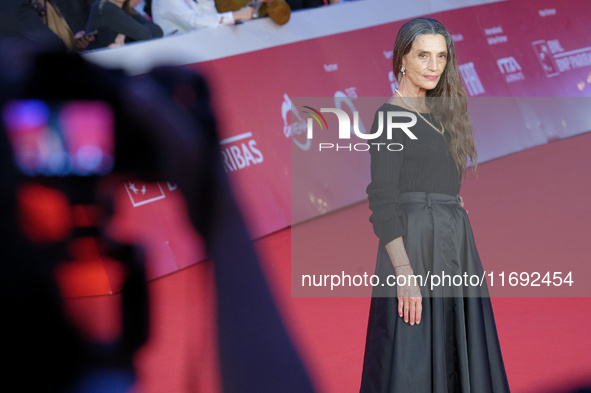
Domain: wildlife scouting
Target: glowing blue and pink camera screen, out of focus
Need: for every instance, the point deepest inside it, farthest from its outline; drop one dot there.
(71, 138)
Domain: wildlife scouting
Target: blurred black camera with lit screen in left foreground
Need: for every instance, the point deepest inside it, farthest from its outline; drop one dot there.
(66, 127)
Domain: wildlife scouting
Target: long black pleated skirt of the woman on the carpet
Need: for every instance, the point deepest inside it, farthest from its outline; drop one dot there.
(455, 348)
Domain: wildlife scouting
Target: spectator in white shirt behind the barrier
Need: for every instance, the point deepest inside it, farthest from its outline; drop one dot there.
(186, 15)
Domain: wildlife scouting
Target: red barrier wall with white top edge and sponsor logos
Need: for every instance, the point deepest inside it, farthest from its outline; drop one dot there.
(515, 49)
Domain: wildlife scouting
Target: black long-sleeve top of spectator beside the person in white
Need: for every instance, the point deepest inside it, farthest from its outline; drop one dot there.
(111, 20)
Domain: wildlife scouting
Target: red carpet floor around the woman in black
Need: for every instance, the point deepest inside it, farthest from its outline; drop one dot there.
(529, 211)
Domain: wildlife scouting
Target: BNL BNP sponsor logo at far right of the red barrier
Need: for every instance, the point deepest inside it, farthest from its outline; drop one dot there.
(554, 59)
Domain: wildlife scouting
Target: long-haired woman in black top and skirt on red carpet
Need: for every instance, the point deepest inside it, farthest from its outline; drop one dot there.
(420, 338)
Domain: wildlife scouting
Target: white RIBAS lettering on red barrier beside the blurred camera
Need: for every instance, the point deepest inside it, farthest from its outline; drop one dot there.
(240, 152)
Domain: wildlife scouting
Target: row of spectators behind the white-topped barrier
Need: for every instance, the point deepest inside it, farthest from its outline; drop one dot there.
(80, 25)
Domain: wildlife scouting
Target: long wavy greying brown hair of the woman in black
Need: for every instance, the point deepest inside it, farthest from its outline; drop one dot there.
(452, 108)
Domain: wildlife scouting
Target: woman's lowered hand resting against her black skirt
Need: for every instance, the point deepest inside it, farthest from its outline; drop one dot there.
(410, 301)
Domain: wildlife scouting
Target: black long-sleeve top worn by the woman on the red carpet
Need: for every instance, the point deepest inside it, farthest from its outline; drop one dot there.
(424, 164)
